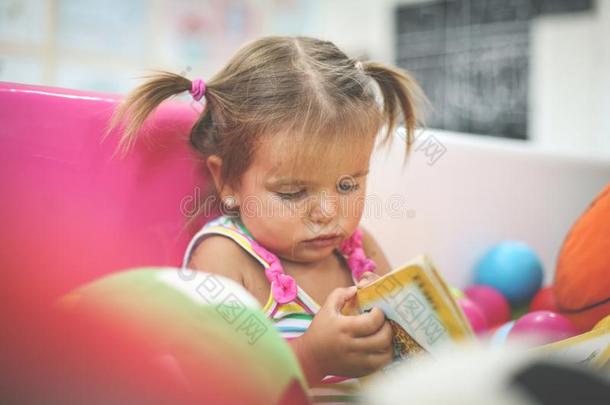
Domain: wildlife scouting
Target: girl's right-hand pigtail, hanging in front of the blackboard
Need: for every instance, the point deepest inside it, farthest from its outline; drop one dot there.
(401, 95)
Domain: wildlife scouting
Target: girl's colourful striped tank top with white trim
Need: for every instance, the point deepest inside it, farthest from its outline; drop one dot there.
(291, 319)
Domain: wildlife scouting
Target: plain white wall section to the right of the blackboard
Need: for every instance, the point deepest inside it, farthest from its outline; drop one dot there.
(570, 82)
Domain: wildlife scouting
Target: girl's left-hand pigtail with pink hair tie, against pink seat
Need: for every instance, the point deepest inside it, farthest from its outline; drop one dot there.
(141, 102)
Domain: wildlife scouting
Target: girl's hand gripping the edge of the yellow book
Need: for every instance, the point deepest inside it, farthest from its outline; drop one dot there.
(345, 345)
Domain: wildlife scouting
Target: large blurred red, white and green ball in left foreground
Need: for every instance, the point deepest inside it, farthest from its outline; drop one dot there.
(152, 336)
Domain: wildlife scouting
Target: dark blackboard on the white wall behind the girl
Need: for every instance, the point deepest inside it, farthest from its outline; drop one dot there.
(472, 59)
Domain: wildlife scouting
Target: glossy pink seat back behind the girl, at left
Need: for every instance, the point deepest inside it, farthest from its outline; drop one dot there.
(70, 212)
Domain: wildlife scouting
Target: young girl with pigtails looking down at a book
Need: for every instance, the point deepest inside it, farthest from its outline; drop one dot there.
(287, 132)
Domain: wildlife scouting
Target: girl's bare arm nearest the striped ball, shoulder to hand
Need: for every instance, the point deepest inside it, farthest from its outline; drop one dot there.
(351, 346)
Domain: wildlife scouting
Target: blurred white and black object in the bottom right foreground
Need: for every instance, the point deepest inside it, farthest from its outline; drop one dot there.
(482, 376)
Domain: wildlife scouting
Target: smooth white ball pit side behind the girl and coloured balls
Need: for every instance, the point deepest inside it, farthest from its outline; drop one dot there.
(461, 194)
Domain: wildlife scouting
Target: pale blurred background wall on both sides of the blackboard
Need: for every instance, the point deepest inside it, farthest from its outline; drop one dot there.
(109, 46)
